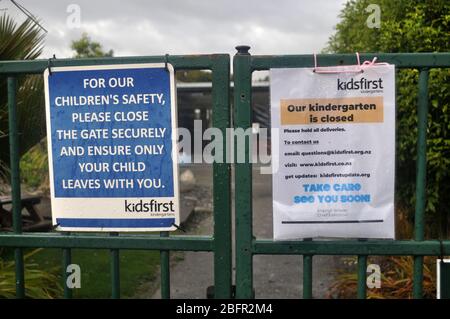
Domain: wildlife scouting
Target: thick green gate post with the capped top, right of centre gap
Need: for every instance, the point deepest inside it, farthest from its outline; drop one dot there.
(243, 174)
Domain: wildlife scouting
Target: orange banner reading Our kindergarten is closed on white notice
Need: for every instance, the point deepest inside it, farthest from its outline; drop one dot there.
(336, 110)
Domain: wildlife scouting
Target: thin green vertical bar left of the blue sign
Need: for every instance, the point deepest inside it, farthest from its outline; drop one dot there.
(15, 182)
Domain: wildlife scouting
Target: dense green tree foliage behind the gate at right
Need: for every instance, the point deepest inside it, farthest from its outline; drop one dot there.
(410, 26)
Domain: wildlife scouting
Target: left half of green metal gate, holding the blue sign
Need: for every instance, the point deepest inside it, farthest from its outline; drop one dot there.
(219, 243)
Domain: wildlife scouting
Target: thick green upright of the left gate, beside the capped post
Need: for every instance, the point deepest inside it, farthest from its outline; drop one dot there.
(222, 181)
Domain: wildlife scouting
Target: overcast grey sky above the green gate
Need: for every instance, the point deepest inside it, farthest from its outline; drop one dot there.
(157, 27)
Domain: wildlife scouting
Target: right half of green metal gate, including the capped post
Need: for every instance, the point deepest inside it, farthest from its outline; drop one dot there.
(247, 246)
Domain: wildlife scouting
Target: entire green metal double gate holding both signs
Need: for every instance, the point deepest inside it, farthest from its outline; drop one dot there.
(220, 243)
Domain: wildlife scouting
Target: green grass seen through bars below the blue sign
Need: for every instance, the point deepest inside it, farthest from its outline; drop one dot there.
(136, 267)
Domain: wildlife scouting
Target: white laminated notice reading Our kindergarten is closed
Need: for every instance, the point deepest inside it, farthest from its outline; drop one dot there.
(336, 142)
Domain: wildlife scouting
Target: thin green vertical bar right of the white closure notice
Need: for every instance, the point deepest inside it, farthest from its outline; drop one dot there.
(421, 175)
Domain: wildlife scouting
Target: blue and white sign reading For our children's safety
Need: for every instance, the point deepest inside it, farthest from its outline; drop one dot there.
(111, 133)
